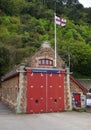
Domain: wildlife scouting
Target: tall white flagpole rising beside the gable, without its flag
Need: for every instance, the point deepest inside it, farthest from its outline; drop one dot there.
(55, 40)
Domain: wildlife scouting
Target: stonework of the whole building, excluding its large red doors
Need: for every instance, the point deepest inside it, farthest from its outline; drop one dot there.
(14, 83)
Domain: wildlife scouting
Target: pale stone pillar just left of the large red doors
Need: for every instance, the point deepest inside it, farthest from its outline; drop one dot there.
(21, 96)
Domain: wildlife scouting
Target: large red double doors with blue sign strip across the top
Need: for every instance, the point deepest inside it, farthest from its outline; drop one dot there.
(45, 91)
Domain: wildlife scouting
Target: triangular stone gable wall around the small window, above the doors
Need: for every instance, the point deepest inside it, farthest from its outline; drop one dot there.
(45, 52)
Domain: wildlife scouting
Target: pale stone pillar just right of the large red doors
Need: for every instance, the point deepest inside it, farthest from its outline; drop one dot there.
(68, 88)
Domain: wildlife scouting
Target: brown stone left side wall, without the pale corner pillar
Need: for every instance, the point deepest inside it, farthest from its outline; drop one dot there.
(10, 91)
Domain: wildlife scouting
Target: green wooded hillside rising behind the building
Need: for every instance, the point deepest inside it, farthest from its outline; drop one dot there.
(25, 24)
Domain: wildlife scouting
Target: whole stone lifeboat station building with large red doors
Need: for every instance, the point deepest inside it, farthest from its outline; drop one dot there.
(37, 86)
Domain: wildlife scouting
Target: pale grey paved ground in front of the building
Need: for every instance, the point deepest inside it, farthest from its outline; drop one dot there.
(47, 121)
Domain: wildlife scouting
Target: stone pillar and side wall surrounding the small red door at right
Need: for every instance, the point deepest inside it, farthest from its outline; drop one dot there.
(68, 94)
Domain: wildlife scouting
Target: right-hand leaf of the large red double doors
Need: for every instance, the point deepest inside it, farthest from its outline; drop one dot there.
(55, 92)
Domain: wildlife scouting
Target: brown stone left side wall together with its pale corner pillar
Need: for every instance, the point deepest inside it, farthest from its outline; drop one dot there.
(14, 92)
